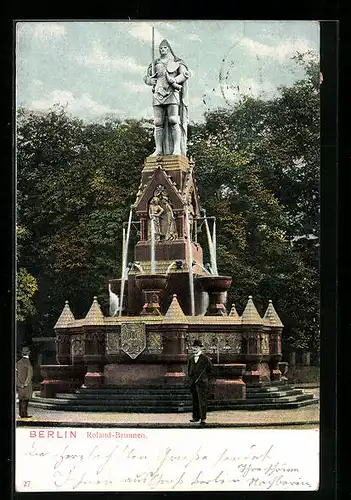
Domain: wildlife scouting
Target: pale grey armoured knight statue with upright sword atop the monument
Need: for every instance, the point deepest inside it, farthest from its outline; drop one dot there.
(168, 77)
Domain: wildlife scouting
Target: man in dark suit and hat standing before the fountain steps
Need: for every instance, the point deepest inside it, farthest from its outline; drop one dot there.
(199, 368)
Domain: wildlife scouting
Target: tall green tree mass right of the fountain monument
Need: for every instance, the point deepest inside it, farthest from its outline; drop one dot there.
(262, 159)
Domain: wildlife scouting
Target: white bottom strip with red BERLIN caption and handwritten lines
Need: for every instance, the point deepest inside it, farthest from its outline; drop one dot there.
(166, 460)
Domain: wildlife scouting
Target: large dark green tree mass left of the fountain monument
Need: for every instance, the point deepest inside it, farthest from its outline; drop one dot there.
(76, 182)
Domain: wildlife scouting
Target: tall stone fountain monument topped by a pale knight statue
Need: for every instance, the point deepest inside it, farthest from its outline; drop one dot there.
(168, 297)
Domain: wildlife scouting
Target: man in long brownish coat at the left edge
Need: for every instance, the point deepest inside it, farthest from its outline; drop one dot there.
(24, 375)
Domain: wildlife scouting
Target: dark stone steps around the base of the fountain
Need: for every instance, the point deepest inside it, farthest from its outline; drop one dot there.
(169, 400)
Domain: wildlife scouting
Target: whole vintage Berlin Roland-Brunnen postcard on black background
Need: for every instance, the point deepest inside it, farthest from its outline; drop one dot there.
(168, 332)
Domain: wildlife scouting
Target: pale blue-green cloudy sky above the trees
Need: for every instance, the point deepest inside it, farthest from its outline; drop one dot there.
(97, 68)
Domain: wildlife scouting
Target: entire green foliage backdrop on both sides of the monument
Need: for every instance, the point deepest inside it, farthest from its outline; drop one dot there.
(257, 171)
